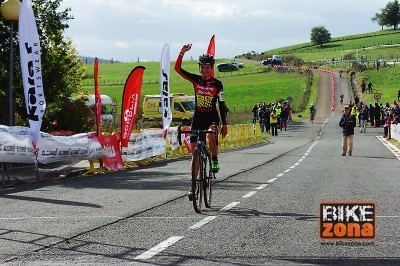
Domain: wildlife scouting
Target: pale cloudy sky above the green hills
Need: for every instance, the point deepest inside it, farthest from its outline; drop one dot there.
(128, 30)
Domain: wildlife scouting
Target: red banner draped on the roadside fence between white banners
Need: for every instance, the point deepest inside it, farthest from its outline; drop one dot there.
(113, 159)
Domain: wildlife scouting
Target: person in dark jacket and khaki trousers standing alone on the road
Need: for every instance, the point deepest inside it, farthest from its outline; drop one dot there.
(347, 123)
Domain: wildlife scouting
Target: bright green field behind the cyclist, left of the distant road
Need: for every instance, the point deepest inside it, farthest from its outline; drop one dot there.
(243, 89)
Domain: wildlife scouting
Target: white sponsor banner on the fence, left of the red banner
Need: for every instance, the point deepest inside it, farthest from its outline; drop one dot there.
(16, 146)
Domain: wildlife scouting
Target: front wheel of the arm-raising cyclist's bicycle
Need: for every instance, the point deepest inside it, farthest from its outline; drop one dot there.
(197, 180)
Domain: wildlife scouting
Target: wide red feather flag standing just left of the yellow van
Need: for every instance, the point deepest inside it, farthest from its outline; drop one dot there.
(130, 103)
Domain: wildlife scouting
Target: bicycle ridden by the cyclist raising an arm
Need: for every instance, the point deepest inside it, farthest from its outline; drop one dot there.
(202, 176)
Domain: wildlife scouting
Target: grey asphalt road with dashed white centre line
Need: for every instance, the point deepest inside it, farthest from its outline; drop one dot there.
(265, 206)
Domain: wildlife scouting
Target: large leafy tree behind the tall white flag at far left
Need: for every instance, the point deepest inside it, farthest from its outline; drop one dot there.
(62, 69)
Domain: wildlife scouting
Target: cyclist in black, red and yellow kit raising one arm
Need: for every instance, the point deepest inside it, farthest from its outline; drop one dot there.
(208, 92)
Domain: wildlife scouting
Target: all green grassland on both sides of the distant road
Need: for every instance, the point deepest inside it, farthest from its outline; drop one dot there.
(255, 83)
